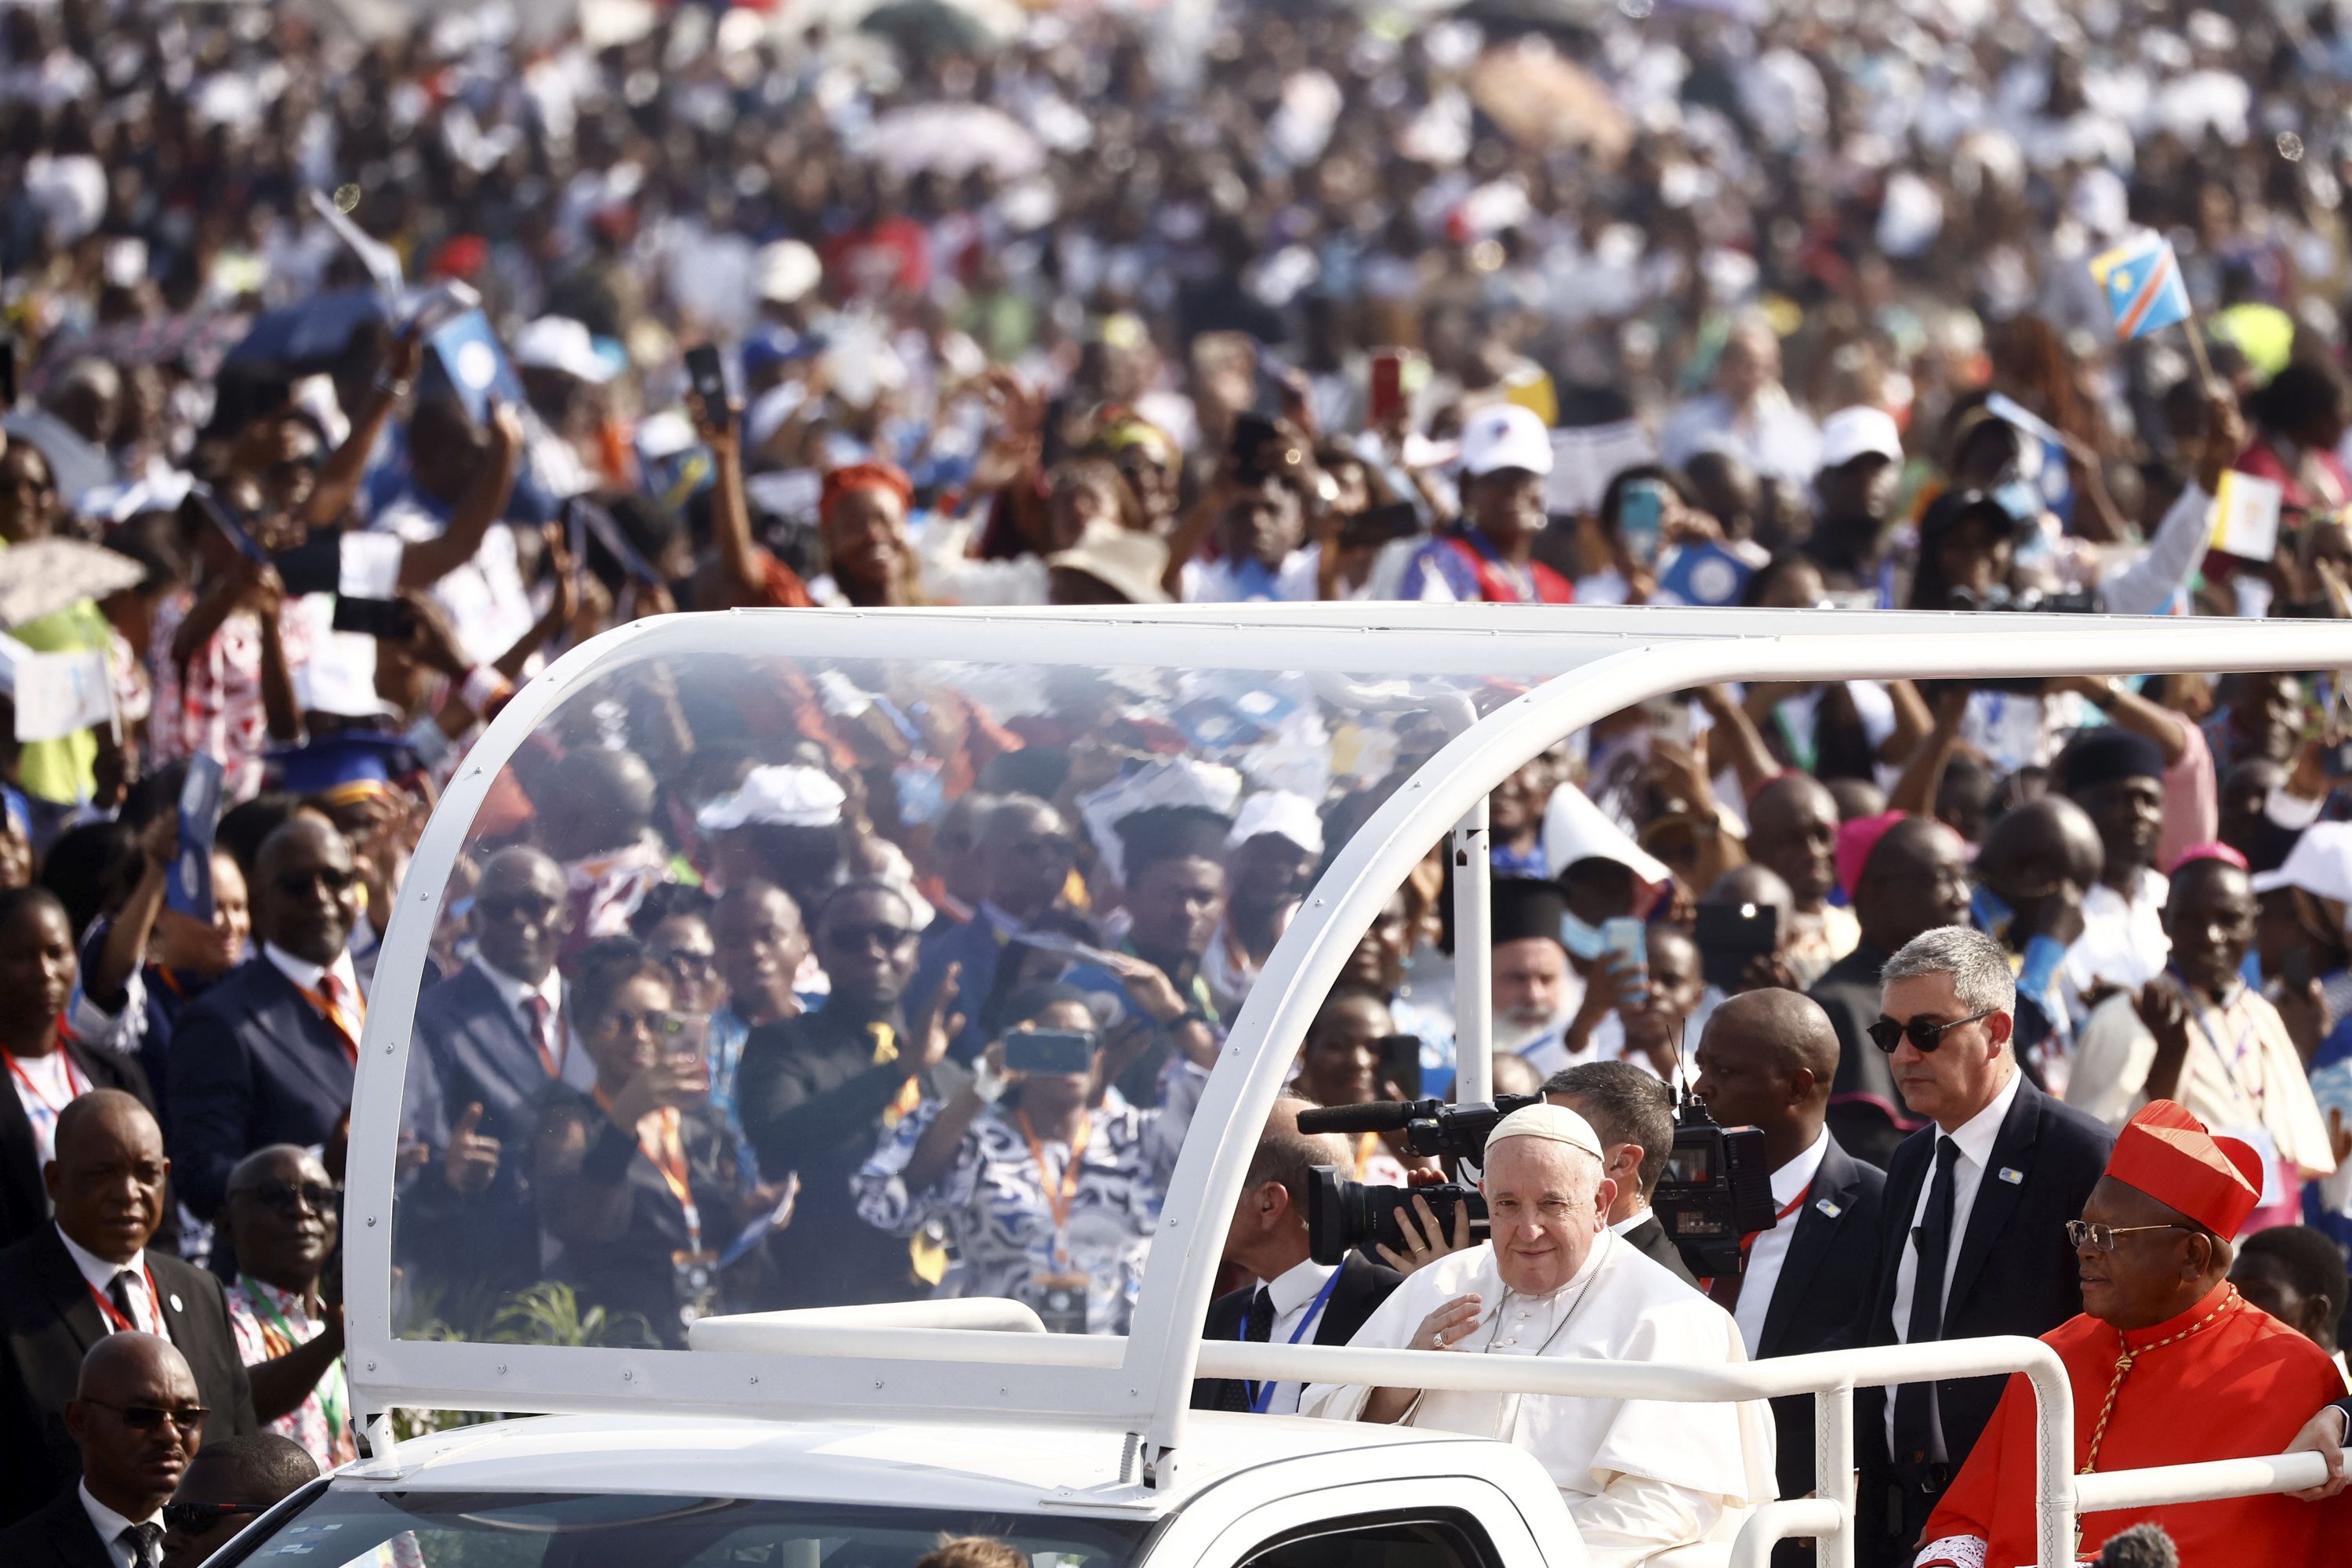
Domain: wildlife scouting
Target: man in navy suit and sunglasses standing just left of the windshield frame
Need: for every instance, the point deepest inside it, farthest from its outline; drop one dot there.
(269, 1054)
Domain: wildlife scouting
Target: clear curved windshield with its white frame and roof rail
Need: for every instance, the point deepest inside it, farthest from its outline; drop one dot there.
(824, 749)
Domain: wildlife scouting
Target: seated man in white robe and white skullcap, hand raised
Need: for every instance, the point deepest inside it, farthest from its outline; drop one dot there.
(1641, 1477)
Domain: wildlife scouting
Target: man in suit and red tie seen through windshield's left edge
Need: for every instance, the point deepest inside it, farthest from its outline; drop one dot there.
(490, 1040)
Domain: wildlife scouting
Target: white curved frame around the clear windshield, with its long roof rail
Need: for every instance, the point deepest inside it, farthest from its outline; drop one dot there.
(1589, 664)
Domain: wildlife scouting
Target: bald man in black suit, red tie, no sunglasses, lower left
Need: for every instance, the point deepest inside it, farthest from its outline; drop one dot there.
(72, 1285)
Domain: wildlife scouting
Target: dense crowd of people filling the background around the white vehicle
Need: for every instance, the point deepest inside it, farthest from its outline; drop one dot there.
(354, 380)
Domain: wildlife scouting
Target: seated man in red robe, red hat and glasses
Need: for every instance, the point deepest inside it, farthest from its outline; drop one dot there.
(2170, 1367)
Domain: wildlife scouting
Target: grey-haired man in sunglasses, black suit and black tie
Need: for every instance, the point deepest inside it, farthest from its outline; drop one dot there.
(1977, 1205)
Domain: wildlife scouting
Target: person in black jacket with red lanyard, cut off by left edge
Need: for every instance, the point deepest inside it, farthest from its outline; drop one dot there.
(36, 986)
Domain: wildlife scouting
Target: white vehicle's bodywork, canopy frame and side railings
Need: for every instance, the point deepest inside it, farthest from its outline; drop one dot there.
(855, 1438)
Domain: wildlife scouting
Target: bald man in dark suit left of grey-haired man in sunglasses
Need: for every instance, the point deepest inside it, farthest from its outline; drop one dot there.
(1768, 1061)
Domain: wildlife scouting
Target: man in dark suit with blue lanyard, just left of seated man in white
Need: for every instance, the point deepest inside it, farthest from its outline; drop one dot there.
(1292, 1294)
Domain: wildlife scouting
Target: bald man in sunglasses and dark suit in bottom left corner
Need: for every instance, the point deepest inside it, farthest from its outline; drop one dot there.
(138, 1421)
